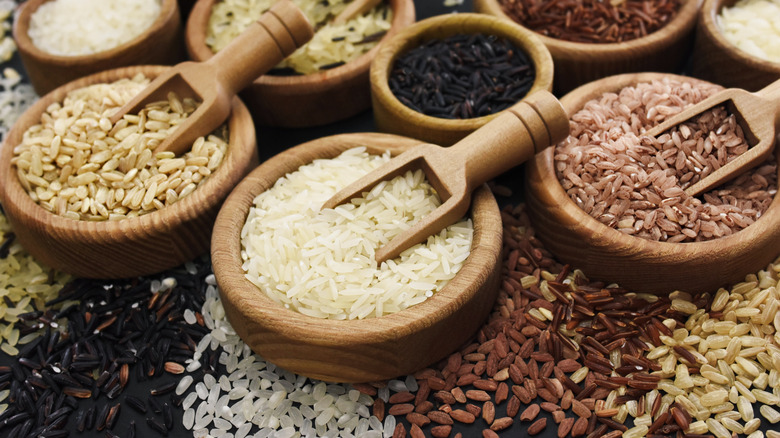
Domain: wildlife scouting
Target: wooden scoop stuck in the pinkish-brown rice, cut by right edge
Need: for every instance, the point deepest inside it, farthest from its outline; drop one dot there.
(759, 115)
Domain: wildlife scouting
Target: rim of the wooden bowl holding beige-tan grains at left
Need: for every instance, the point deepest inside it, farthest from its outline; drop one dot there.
(206, 195)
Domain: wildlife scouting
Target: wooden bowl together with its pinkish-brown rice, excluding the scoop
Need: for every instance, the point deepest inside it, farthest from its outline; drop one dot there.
(612, 201)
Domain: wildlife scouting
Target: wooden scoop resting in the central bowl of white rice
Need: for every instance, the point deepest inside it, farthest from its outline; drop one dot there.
(512, 138)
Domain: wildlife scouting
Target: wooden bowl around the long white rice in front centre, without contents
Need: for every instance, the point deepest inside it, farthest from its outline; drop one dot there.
(353, 350)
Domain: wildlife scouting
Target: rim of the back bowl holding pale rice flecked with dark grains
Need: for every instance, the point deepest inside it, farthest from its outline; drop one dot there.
(312, 82)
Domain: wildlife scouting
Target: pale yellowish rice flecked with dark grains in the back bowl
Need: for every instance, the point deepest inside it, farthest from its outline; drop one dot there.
(332, 45)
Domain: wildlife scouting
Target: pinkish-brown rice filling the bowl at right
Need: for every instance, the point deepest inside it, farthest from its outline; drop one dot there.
(634, 183)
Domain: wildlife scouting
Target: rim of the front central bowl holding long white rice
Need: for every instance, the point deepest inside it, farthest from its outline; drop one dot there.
(227, 260)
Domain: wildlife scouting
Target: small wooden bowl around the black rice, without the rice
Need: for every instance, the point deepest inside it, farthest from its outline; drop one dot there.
(394, 117)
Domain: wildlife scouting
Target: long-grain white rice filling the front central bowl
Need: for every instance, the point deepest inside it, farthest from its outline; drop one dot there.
(321, 263)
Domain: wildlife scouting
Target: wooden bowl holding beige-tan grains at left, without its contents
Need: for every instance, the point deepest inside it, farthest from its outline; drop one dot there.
(129, 247)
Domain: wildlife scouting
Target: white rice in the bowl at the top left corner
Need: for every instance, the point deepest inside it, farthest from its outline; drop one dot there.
(84, 27)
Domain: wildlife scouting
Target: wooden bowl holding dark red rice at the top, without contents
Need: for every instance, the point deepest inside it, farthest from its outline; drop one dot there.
(665, 50)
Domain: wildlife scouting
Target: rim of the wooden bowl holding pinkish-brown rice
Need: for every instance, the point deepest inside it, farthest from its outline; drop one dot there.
(544, 163)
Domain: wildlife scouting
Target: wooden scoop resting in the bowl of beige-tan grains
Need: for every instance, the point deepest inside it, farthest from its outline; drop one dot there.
(265, 43)
